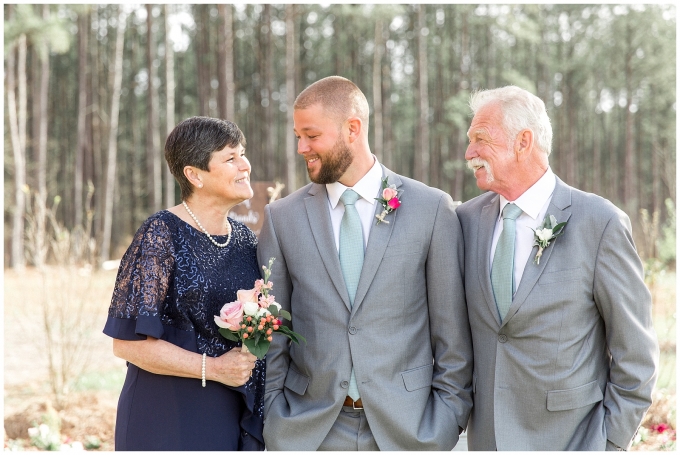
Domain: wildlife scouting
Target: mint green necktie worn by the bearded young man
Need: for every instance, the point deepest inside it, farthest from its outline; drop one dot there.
(351, 259)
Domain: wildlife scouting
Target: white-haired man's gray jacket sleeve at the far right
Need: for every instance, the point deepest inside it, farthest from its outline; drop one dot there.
(625, 305)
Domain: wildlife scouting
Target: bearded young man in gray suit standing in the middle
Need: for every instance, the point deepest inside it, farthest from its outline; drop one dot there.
(376, 289)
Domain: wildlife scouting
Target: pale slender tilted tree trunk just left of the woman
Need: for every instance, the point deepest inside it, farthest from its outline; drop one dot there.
(117, 77)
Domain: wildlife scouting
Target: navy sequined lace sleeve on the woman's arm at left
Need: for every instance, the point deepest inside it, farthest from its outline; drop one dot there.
(142, 283)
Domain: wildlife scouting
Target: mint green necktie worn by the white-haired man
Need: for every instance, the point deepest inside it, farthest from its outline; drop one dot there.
(502, 268)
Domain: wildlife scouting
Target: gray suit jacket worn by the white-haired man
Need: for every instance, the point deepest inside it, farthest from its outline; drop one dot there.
(574, 362)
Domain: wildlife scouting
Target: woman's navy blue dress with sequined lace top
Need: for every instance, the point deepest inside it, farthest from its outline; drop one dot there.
(171, 283)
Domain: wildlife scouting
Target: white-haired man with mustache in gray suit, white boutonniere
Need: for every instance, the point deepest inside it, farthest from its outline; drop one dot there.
(565, 356)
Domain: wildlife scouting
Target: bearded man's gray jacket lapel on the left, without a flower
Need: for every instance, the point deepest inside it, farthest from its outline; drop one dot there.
(322, 230)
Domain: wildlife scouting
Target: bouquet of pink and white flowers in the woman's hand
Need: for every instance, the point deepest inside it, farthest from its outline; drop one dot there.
(254, 317)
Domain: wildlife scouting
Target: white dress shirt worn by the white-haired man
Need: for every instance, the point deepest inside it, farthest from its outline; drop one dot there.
(534, 204)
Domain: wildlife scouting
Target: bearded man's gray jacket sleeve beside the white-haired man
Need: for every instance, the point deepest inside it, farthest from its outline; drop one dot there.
(449, 325)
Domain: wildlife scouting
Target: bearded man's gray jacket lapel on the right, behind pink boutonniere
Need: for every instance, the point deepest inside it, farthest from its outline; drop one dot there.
(377, 243)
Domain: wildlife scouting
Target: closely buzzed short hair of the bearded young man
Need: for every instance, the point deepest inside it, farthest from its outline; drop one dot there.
(339, 96)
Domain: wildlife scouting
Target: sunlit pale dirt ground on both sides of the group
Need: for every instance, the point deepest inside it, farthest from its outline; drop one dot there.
(87, 414)
